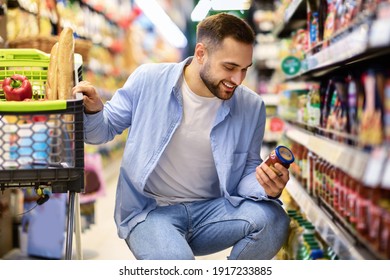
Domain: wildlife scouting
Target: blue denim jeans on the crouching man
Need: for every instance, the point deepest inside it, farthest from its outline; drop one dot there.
(255, 230)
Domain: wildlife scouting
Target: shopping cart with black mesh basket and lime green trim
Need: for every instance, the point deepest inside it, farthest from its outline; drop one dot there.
(41, 141)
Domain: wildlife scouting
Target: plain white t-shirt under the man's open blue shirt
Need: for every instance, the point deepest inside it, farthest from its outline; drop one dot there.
(186, 170)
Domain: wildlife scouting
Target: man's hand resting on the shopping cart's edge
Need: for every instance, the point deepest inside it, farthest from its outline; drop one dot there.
(92, 102)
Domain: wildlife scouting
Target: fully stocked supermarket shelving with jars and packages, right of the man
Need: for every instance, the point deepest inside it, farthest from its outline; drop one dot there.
(338, 121)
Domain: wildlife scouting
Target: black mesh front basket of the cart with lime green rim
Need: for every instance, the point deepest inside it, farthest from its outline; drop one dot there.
(42, 147)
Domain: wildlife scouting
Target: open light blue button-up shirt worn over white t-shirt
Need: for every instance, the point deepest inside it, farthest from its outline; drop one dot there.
(150, 106)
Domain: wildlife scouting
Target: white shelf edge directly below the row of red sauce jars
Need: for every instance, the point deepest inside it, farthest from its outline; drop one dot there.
(343, 244)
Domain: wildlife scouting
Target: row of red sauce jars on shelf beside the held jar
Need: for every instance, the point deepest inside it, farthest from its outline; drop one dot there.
(359, 209)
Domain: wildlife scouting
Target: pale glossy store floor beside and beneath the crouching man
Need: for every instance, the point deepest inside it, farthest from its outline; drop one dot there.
(100, 241)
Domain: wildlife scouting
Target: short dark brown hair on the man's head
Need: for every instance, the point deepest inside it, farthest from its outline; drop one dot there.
(214, 29)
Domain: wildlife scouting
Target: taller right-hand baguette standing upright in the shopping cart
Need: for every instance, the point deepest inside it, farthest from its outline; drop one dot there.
(65, 64)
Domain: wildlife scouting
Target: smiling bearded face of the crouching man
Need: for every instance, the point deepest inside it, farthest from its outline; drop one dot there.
(225, 68)
